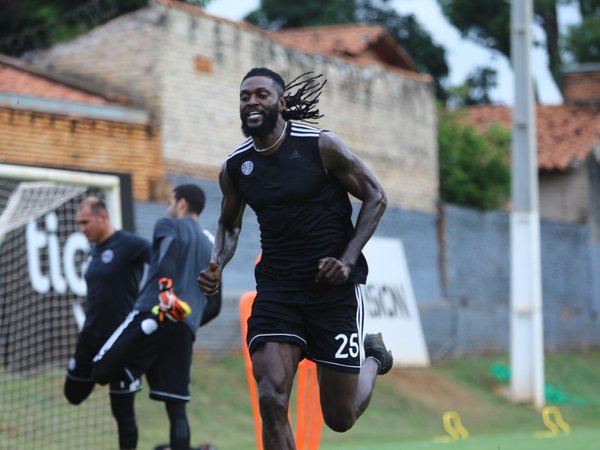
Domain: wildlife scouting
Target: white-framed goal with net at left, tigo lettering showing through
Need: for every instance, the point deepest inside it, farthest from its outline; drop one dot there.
(42, 254)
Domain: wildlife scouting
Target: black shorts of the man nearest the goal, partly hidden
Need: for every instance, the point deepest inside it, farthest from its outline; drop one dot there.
(79, 367)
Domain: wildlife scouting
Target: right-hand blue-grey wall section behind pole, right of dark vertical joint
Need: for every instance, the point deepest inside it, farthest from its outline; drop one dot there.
(477, 266)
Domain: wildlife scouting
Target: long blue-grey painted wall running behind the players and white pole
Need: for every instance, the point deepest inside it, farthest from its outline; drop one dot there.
(459, 265)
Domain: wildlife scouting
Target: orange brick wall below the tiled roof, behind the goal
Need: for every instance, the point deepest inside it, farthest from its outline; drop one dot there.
(44, 139)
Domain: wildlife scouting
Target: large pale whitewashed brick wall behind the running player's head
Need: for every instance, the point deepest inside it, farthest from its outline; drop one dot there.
(187, 67)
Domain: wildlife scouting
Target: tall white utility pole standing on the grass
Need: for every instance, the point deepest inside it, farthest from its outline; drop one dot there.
(526, 319)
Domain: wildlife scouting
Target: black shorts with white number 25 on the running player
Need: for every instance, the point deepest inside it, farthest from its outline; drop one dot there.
(326, 323)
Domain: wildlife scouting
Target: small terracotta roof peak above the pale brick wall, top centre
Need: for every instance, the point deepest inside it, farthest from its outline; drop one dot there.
(356, 42)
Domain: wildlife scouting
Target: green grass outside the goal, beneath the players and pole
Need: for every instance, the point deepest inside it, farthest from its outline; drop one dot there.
(406, 409)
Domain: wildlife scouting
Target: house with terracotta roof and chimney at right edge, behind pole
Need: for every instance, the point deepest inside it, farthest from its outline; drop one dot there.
(568, 148)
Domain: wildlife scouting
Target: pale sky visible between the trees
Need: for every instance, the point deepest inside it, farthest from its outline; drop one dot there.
(463, 56)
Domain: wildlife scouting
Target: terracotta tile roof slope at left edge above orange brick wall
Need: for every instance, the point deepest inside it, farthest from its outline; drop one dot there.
(18, 77)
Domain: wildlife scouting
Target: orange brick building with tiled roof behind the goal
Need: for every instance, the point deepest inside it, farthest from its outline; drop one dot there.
(47, 119)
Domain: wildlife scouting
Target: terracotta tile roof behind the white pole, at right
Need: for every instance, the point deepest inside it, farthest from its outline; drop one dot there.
(565, 133)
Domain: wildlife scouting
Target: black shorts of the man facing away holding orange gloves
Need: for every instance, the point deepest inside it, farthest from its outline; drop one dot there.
(164, 356)
